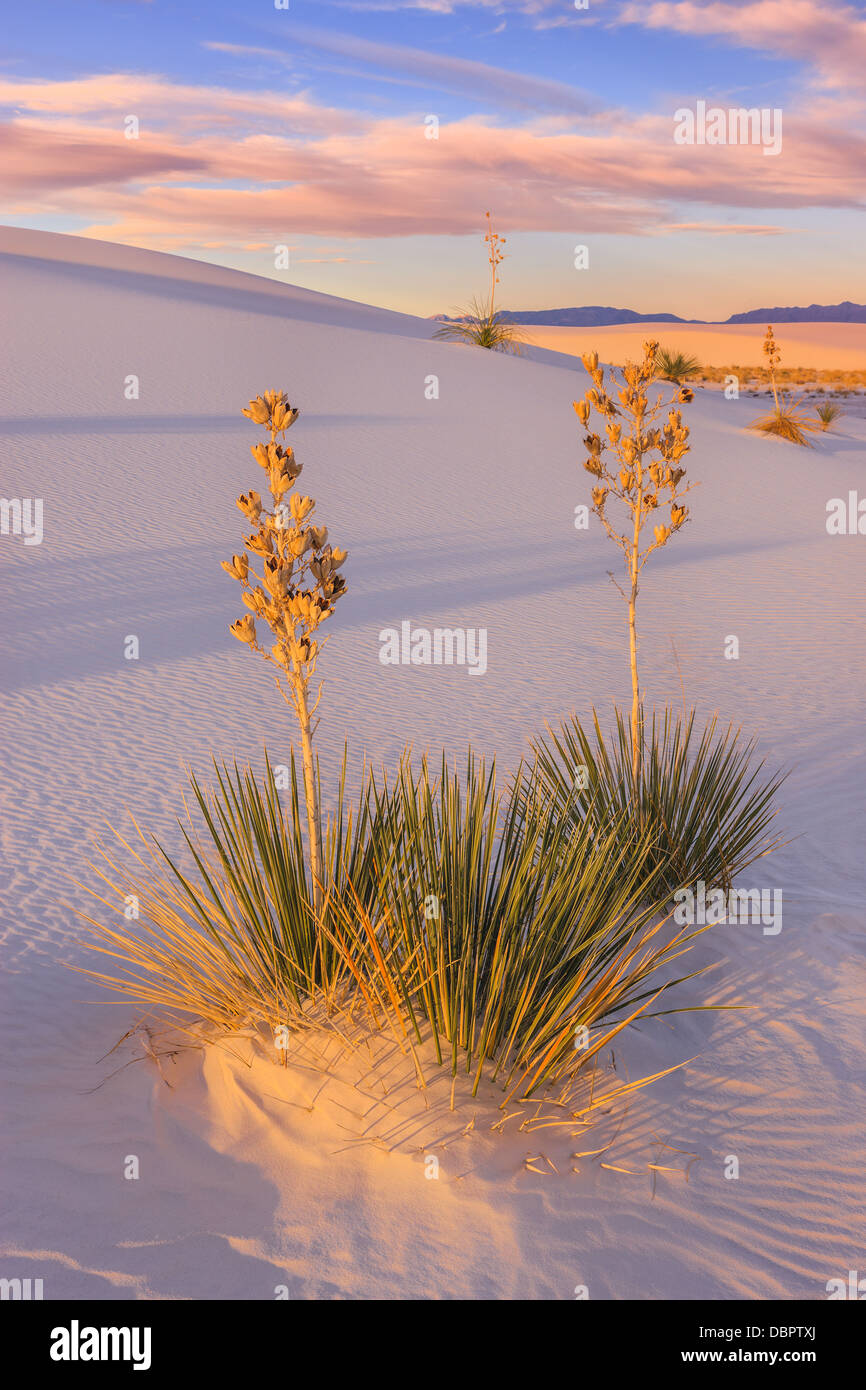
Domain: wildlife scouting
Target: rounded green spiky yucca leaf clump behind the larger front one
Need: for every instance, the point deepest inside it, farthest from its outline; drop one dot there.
(703, 803)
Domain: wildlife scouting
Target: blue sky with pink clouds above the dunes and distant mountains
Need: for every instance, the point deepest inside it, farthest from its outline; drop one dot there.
(354, 147)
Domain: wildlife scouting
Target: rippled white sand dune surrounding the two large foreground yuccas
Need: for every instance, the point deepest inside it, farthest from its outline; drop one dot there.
(455, 512)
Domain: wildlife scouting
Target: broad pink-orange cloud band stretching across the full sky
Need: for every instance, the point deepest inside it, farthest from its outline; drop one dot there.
(343, 174)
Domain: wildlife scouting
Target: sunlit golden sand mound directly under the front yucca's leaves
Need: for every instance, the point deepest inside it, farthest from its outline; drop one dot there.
(375, 1093)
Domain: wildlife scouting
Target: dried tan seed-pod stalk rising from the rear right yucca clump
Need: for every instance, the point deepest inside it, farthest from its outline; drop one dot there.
(644, 475)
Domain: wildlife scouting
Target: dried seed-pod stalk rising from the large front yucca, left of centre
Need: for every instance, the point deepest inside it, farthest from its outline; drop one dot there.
(295, 594)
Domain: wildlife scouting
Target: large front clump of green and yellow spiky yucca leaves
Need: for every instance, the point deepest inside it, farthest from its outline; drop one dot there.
(490, 922)
